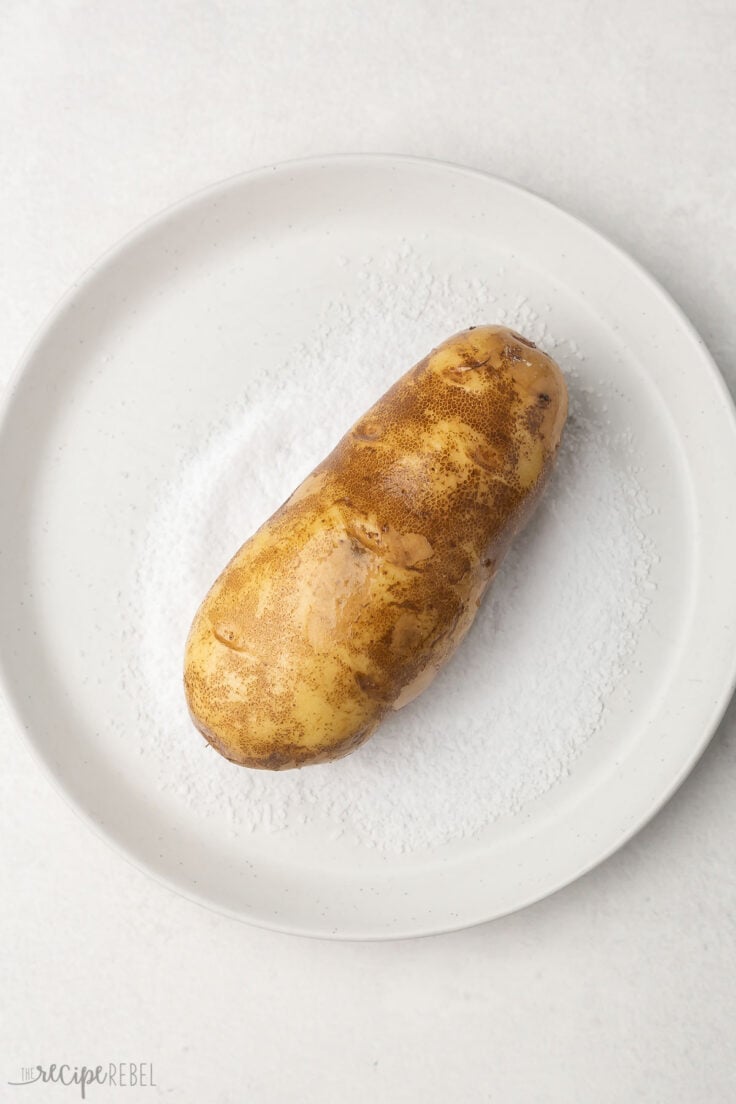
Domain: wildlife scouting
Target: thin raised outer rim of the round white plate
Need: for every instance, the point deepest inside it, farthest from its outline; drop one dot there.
(721, 700)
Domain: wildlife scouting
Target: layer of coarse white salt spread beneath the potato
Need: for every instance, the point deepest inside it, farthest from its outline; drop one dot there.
(510, 715)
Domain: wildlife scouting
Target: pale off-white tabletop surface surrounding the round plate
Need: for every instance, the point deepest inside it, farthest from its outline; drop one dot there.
(621, 988)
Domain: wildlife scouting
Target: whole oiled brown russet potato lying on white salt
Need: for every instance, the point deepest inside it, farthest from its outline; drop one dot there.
(347, 602)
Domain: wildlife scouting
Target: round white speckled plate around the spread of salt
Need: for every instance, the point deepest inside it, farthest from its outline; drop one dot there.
(129, 370)
